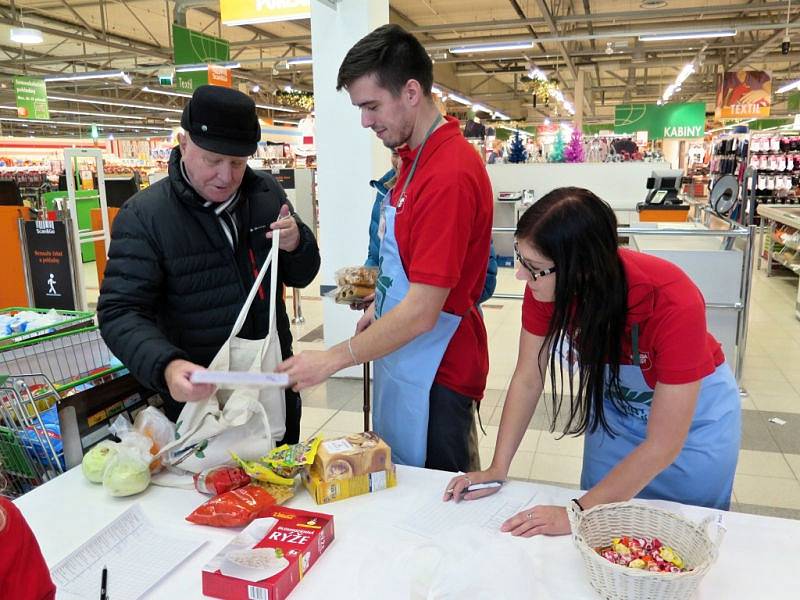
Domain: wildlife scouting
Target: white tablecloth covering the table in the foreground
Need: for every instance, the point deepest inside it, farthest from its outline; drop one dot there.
(759, 556)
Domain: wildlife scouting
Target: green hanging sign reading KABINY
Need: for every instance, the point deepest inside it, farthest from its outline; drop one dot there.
(666, 121)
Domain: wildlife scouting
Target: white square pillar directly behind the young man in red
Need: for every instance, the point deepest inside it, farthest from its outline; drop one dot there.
(348, 156)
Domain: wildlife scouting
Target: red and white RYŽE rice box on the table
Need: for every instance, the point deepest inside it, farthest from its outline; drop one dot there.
(269, 557)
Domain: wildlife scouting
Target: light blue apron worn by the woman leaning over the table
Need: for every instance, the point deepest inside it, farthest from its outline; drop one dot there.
(703, 472)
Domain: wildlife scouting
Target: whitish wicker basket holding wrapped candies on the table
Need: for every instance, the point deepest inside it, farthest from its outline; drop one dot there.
(596, 526)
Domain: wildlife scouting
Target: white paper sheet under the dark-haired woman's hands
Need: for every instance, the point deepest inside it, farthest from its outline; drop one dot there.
(434, 517)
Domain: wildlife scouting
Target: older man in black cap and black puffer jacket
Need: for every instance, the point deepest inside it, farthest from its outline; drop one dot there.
(185, 251)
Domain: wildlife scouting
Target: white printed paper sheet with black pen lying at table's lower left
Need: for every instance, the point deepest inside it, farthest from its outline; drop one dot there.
(136, 554)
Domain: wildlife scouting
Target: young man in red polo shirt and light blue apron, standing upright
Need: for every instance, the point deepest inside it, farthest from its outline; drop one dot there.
(423, 331)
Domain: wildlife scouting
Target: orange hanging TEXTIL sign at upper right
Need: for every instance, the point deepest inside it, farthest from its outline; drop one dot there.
(744, 95)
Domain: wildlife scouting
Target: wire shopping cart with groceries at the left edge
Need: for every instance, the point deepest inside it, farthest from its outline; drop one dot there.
(34, 376)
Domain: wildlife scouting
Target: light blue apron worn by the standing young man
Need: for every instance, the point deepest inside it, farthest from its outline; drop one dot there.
(403, 379)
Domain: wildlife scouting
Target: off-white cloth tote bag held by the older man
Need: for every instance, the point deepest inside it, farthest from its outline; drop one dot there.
(243, 420)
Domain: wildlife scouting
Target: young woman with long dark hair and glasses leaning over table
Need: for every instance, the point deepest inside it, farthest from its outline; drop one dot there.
(621, 336)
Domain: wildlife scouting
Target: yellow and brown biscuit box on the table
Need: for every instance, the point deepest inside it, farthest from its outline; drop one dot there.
(356, 464)
